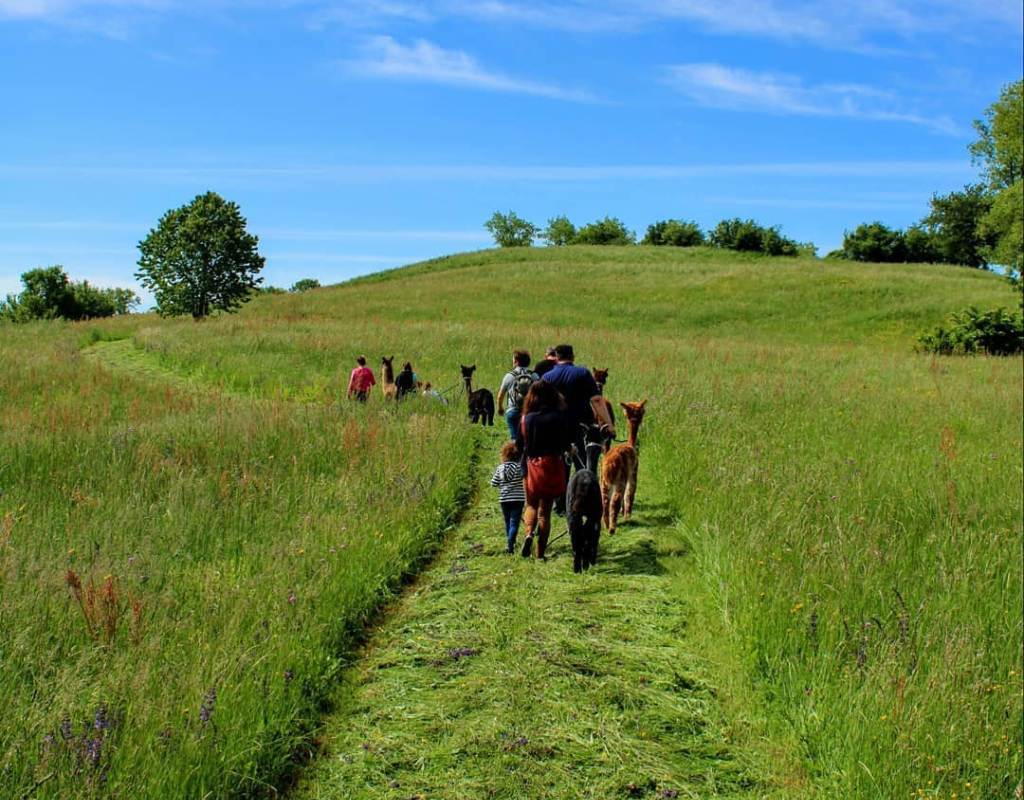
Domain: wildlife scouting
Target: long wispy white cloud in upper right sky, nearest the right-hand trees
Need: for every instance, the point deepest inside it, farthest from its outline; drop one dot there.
(716, 86)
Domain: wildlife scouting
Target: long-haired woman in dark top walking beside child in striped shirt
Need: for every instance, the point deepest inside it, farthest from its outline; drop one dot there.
(546, 439)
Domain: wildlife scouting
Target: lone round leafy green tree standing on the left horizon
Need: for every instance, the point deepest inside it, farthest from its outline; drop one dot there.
(200, 259)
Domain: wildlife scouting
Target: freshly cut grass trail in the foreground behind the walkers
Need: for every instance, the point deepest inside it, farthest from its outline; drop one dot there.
(501, 678)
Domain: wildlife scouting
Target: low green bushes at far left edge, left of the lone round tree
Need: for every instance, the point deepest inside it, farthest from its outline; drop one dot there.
(50, 294)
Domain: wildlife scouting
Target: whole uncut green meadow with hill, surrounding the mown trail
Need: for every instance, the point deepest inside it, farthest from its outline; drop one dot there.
(852, 510)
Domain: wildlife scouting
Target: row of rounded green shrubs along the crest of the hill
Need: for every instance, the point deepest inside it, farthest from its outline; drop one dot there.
(744, 235)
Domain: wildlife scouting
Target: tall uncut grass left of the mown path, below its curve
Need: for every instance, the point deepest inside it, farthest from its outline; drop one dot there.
(184, 573)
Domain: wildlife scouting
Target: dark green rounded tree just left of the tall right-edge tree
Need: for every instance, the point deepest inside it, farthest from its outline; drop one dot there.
(955, 224)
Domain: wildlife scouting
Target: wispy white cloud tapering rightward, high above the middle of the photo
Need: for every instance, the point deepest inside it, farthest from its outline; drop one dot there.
(424, 62)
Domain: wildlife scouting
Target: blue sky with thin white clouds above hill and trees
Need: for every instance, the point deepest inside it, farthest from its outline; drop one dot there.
(362, 136)
